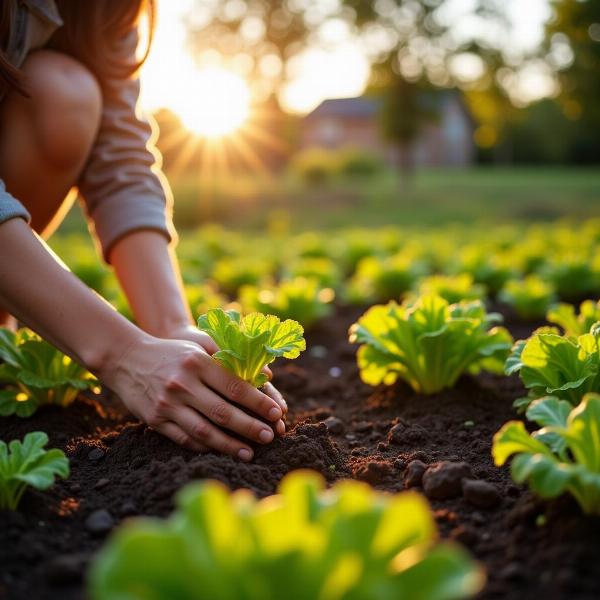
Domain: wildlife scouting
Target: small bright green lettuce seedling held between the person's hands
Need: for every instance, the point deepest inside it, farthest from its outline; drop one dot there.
(247, 344)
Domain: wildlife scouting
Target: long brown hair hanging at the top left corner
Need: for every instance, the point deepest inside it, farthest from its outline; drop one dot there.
(89, 33)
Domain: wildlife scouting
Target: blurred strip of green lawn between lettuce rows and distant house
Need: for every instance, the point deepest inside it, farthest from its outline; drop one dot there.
(432, 197)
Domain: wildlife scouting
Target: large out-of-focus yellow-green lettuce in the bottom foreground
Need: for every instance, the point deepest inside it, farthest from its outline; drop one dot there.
(305, 543)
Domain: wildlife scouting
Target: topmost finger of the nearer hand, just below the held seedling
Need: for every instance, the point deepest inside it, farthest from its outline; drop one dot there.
(235, 389)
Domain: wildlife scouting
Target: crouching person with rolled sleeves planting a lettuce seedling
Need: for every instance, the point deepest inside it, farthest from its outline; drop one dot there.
(69, 124)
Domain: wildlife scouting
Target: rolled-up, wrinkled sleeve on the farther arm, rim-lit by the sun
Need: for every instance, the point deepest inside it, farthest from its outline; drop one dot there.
(122, 186)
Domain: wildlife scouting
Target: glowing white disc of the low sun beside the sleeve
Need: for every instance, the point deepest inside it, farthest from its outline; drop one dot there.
(216, 102)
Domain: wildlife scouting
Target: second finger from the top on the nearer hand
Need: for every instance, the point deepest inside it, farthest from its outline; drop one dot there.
(222, 413)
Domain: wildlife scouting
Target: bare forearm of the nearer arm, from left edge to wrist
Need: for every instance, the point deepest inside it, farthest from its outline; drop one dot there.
(47, 297)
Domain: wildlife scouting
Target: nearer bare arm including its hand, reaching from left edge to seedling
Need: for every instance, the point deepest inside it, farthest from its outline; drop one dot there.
(173, 385)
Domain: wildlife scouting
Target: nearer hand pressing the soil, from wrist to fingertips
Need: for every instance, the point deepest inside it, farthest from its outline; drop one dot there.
(178, 389)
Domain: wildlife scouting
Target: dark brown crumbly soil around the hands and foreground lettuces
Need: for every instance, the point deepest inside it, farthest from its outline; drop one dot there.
(337, 426)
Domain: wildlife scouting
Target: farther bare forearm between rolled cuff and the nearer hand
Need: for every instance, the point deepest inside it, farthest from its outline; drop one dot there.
(147, 271)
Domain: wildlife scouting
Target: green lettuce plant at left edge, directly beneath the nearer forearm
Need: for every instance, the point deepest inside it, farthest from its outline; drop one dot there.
(35, 373)
